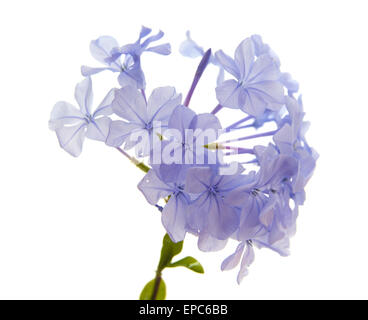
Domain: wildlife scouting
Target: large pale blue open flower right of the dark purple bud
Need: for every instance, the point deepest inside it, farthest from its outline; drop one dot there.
(257, 86)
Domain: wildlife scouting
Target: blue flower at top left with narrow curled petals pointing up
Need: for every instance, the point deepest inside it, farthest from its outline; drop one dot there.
(106, 50)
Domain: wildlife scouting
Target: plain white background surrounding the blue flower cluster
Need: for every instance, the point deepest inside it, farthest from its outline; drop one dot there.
(79, 229)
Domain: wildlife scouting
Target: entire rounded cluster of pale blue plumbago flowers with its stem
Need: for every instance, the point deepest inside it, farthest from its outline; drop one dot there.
(199, 183)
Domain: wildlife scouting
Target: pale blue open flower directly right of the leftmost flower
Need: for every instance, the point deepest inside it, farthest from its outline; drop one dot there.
(141, 119)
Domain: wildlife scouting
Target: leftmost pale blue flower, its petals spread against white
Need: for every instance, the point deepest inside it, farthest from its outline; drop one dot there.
(72, 125)
